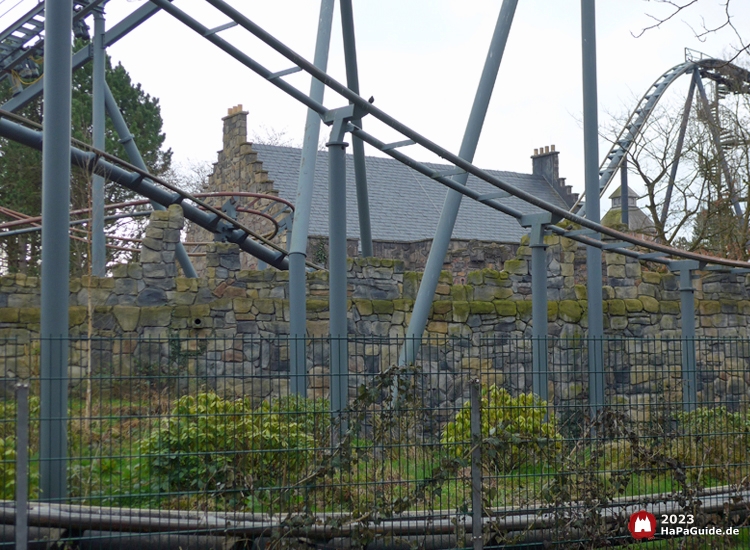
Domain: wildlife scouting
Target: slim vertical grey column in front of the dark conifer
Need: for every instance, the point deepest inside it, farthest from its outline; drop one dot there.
(98, 242)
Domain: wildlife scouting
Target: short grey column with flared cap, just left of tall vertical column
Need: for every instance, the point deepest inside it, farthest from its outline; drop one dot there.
(539, 318)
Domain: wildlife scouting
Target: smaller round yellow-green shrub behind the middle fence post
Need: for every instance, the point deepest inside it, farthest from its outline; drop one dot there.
(514, 429)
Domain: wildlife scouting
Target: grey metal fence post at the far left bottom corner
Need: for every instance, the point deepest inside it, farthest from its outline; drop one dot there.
(22, 464)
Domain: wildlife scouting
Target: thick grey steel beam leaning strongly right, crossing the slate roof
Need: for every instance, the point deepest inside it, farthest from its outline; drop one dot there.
(452, 202)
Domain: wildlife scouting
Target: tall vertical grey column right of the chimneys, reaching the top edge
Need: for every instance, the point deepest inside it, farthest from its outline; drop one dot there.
(591, 160)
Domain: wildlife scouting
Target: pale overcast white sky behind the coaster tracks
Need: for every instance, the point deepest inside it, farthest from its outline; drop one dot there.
(421, 60)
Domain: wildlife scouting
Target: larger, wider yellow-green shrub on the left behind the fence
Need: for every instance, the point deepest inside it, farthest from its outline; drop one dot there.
(214, 444)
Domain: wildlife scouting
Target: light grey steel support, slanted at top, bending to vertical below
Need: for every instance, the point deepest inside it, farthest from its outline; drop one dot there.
(302, 204)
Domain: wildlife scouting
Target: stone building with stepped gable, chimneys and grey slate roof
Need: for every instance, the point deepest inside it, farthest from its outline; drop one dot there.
(404, 205)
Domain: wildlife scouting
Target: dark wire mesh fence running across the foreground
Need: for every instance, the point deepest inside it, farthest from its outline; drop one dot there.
(199, 443)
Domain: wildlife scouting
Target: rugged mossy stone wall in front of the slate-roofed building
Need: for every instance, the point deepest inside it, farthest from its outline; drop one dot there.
(226, 325)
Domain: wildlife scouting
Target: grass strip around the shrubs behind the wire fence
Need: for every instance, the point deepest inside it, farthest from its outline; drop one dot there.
(107, 467)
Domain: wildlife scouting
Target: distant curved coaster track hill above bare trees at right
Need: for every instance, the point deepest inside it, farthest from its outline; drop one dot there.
(735, 78)
